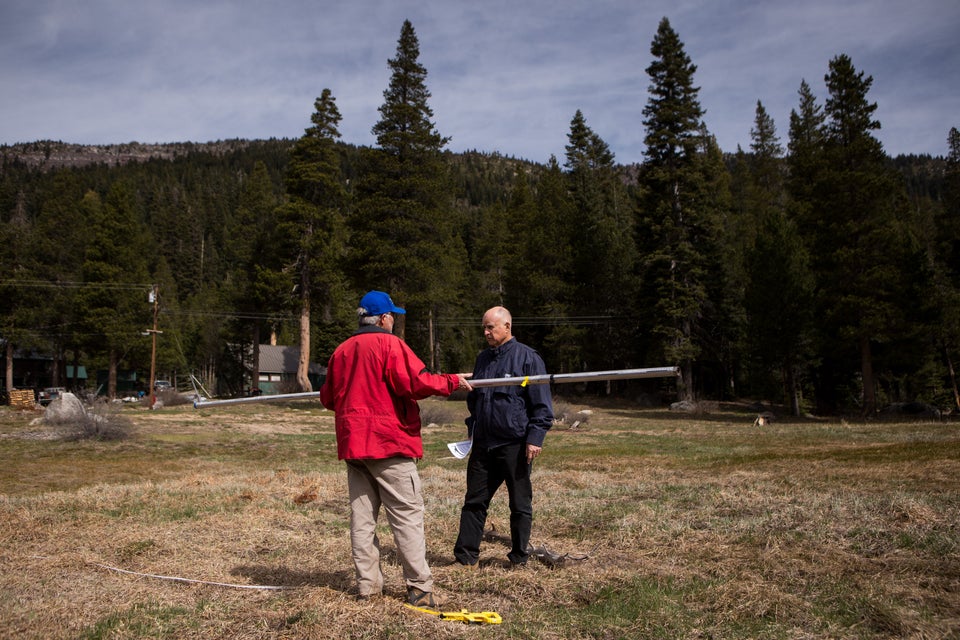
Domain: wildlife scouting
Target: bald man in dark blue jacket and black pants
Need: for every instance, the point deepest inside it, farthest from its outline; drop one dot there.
(507, 425)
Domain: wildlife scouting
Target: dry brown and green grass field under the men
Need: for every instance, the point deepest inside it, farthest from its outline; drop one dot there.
(676, 526)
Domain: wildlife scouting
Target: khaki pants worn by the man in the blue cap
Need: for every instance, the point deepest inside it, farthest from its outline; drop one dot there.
(394, 483)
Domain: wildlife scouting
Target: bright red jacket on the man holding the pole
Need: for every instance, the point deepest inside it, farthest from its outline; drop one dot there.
(373, 383)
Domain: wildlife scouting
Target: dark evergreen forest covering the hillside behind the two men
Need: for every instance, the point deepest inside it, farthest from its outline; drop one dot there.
(811, 269)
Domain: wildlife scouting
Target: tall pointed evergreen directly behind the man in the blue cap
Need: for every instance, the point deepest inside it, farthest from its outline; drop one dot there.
(405, 227)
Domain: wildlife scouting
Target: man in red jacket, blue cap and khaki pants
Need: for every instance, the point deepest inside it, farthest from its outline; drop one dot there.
(373, 383)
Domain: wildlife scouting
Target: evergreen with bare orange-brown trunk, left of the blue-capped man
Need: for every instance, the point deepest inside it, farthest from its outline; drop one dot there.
(312, 221)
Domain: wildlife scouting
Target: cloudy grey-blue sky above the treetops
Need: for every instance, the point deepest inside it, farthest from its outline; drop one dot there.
(505, 76)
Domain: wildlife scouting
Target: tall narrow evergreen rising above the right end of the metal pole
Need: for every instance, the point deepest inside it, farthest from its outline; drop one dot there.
(673, 230)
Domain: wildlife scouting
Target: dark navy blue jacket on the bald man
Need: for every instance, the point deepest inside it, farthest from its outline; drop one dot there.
(509, 414)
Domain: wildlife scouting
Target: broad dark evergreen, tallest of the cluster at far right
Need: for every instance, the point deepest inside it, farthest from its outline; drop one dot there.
(867, 260)
